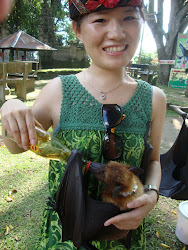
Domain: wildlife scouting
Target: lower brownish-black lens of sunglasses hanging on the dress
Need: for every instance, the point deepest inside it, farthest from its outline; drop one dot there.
(112, 146)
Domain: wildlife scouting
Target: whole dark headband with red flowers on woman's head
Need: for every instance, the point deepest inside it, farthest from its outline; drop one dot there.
(79, 8)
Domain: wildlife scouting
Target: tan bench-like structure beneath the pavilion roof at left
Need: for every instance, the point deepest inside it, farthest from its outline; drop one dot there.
(19, 75)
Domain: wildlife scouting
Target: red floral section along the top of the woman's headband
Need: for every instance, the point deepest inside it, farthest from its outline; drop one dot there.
(92, 5)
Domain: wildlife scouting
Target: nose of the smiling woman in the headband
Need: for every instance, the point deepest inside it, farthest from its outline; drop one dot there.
(116, 30)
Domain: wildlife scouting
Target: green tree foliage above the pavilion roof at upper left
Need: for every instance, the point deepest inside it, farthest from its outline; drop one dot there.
(27, 15)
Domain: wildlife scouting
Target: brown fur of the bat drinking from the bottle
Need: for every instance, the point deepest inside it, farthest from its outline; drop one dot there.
(119, 177)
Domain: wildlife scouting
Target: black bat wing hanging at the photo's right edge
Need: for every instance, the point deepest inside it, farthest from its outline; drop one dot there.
(174, 163)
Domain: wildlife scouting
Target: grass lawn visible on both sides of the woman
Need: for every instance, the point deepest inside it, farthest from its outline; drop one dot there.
(24, 178)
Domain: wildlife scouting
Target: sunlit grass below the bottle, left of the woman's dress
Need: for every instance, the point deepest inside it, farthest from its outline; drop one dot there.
(26, 173)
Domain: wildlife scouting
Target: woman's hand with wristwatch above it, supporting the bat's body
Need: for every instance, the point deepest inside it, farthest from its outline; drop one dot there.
(140, 208)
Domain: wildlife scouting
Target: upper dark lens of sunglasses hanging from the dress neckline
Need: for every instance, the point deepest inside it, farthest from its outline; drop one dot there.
(111, 115)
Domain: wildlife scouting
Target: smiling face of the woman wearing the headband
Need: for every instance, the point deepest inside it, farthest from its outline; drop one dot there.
(110, 36)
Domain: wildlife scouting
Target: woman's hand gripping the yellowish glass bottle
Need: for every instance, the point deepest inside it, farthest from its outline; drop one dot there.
(19, 122)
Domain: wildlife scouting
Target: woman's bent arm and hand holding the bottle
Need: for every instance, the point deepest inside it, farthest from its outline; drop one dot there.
(19, 120)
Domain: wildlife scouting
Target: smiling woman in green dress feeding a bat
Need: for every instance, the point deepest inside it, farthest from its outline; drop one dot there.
(110, 33)
